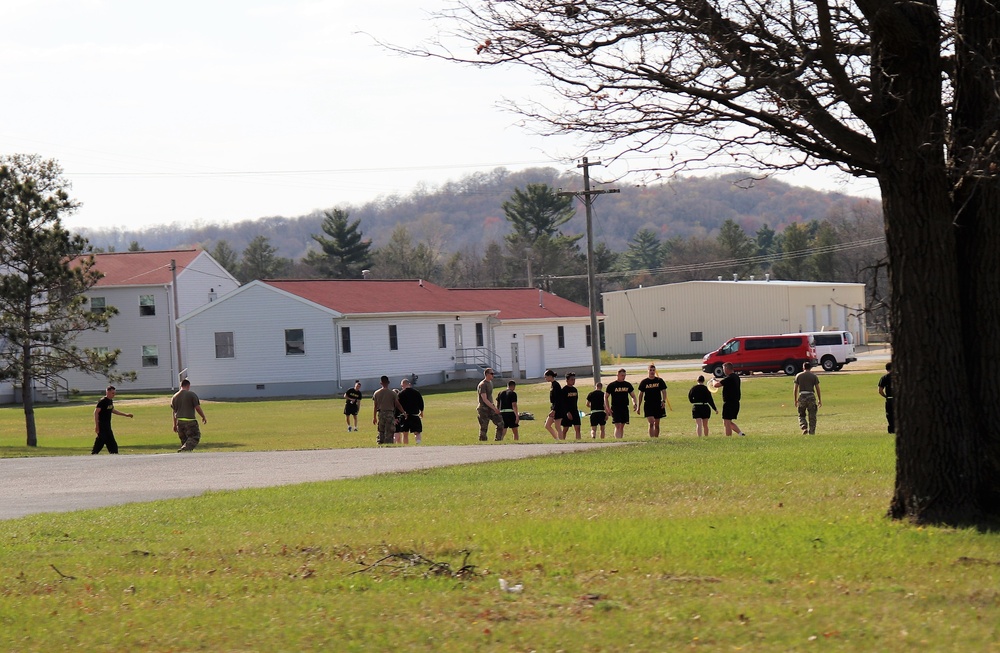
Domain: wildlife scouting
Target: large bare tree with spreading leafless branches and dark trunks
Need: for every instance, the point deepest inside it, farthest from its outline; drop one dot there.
(898, 92)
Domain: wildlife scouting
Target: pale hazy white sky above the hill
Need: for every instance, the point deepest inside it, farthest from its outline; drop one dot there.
(224, 110)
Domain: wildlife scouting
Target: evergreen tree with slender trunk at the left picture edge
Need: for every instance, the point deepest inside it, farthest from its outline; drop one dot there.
(44, 273)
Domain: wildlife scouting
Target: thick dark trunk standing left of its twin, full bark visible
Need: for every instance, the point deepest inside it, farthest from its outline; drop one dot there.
(937, 468)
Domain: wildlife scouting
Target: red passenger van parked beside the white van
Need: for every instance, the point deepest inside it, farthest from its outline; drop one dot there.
(763, 354)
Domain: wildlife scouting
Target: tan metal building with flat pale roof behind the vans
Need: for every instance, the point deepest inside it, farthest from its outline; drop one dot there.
(696, 317)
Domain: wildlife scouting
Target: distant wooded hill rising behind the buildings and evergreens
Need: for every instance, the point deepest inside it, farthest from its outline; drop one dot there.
(468, 214)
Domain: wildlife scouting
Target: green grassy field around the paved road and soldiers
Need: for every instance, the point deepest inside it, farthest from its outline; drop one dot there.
(774, 542)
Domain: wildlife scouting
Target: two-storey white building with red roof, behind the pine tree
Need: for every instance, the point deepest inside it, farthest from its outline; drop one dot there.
(141, 285)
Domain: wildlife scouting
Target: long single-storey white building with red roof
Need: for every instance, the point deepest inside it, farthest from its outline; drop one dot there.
(316, 337)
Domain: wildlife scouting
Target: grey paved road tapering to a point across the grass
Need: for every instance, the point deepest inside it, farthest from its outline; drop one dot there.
(62, 484)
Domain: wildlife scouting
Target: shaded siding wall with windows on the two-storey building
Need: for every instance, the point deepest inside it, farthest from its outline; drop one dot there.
(129, 331)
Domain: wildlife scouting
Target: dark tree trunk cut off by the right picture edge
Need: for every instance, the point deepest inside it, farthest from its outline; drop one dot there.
(976, 116)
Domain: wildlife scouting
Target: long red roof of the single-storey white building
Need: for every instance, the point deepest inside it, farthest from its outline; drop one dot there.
(357, 296)
